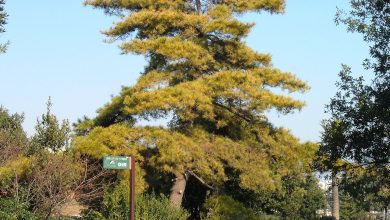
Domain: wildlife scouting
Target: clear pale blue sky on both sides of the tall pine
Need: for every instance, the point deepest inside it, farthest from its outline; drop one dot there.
(57, 50)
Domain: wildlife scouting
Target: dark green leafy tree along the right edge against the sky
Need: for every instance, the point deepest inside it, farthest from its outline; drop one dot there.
(363, 106)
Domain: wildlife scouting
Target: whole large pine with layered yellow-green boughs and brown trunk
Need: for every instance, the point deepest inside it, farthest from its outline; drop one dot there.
(217, 88)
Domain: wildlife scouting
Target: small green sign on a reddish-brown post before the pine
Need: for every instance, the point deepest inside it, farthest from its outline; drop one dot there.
(124, 163)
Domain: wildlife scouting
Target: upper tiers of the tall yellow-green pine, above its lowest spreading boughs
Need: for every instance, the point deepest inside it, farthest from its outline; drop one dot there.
(199, 67)
